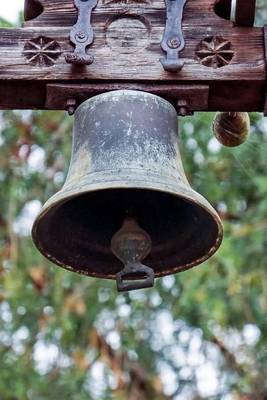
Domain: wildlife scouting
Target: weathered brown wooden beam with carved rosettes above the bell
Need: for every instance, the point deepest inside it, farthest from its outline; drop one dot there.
(227, 59)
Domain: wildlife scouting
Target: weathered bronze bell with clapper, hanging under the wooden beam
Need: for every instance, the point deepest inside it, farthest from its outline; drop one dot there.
(126, 199)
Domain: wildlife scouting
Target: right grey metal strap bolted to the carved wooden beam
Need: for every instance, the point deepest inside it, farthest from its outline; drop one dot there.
(173, 39)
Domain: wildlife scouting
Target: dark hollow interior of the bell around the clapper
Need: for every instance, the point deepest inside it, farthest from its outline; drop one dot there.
(76, 232)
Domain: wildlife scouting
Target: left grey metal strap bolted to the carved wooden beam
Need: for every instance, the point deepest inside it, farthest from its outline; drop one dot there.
(82, 34)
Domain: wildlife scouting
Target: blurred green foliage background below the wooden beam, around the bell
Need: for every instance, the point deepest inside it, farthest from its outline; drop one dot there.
(201, 334)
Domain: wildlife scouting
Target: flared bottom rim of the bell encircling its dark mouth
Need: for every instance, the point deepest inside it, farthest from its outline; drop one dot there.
(198, 200)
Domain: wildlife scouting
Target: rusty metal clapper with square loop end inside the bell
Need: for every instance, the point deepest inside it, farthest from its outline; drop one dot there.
(131, 244)
